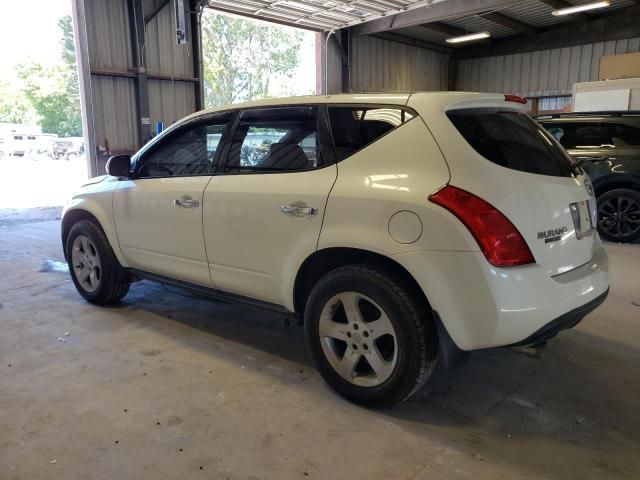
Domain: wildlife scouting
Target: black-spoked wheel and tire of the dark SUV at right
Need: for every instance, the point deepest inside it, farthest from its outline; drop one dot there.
(619, 215)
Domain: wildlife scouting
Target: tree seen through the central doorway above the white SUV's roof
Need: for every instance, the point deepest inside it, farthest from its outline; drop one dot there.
(242, 57)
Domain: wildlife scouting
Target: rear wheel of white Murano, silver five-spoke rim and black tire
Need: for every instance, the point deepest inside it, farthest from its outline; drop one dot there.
(401, 345)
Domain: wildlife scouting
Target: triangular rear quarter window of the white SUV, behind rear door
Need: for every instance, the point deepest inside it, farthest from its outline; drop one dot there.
(355, 127)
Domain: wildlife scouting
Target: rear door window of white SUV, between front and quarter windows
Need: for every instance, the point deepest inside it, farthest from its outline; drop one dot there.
(276, 139)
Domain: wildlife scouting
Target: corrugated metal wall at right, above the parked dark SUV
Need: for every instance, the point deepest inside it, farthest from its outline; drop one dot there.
(541, 73)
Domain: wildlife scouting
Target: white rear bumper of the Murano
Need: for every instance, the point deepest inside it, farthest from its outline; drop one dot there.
(482, 306)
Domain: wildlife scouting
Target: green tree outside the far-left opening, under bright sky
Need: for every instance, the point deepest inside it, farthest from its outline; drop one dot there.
(53, 91)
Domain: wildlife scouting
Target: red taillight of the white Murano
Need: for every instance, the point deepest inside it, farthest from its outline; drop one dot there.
(498, 238)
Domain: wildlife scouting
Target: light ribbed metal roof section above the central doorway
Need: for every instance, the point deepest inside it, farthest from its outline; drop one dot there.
(319, 14)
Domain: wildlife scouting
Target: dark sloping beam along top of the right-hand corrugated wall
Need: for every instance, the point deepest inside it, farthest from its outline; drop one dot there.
(623, 25)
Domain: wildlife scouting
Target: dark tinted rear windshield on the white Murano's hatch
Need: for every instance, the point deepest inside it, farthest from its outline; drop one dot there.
(512, 140)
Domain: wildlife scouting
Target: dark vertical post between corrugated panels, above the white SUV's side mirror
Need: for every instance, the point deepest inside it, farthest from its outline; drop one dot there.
(136, 24)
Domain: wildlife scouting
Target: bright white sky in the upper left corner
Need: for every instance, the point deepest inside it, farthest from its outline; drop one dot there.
(28, 35)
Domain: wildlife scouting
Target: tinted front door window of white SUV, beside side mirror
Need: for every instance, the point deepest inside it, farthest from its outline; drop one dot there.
(188, 151)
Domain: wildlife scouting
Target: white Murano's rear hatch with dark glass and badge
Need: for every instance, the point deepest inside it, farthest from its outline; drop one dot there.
(498, 153)
